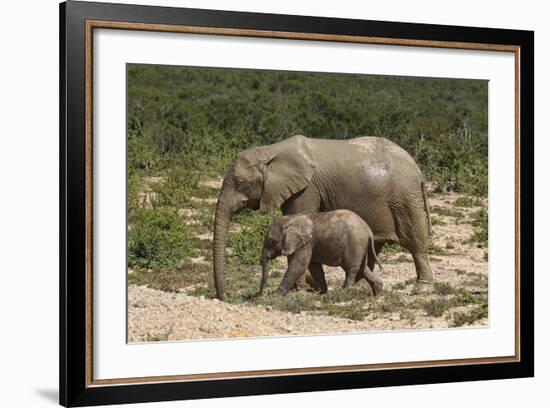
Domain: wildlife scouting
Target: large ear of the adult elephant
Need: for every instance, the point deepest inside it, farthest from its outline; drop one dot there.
(288, 170)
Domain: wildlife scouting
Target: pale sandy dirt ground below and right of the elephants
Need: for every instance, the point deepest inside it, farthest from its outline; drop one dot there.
(460, 268)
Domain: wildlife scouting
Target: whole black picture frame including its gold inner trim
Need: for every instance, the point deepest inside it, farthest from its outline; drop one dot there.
(79, 21)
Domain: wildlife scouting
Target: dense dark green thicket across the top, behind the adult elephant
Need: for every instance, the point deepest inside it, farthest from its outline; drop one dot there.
(206, 115)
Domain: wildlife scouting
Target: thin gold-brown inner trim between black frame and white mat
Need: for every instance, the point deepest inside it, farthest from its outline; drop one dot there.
(99, 24)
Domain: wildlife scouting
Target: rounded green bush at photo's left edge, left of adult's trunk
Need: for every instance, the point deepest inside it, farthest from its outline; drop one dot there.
(158, 237)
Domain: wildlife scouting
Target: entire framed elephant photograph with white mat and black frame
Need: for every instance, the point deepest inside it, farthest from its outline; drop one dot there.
(256, 204)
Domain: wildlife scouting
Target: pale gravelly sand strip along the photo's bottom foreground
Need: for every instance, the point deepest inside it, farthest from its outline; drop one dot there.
(154, 315)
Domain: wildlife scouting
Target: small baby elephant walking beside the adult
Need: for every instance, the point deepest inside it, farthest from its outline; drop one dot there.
(334, 238)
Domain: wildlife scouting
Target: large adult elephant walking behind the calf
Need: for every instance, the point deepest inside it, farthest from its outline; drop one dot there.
(371, 176)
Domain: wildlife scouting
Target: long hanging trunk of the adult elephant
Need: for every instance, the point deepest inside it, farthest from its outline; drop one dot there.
(221, 224)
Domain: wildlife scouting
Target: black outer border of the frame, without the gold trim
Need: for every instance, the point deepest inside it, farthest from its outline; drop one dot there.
(72, 125)
